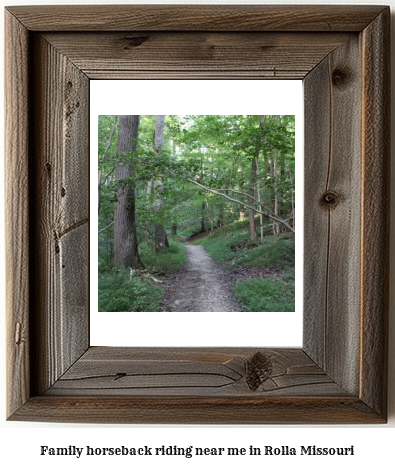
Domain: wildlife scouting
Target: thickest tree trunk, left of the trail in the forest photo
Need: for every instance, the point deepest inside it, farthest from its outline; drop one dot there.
(125, 234)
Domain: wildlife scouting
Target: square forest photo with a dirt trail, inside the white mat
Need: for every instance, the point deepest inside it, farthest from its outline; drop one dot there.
(196, 213)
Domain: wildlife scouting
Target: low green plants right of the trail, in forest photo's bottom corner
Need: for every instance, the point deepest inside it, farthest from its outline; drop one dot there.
(266, 295)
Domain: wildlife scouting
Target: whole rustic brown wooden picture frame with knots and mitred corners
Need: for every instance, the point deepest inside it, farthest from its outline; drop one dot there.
(340, 373)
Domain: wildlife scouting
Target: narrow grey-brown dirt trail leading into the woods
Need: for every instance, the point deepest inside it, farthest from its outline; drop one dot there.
(200, 286)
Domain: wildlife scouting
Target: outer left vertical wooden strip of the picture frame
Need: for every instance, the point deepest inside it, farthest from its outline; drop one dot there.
(17, 213)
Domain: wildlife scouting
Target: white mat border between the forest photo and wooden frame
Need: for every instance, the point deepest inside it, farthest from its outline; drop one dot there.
(199, 329)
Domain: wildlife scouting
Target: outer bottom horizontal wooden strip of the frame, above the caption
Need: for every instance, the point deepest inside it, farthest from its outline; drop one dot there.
(197, 410)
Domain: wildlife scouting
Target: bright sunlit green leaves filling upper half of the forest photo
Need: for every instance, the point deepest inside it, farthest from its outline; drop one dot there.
(214, 150)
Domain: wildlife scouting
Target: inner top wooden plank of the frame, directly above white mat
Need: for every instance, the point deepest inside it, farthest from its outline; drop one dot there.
(266, 54)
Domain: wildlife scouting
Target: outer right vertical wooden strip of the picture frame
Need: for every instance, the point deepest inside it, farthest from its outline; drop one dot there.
(376, 210)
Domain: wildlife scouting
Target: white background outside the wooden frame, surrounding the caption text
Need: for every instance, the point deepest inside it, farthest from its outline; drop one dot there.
(19, 442)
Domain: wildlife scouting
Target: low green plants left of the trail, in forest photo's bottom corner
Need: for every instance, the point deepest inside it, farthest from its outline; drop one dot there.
(119, 292)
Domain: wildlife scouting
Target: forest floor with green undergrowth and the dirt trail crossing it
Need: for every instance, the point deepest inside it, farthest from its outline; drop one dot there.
(220, 270)
